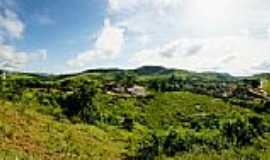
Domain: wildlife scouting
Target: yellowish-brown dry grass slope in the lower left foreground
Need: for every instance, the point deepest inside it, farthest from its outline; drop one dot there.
(25, 134)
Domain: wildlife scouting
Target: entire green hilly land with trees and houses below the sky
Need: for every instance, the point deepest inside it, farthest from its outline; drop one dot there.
(143, 114)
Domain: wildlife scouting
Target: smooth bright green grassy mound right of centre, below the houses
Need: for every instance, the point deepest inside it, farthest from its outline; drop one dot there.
(168, 109)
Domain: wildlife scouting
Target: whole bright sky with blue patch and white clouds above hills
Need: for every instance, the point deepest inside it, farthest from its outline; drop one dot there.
(60, 36)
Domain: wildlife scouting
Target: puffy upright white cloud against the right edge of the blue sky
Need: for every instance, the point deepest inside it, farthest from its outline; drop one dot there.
(108, 44)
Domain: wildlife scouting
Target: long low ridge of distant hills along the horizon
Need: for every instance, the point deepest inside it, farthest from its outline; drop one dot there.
(147, 70)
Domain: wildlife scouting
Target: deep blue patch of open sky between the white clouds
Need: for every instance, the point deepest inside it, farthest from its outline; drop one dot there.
(62, 29)
